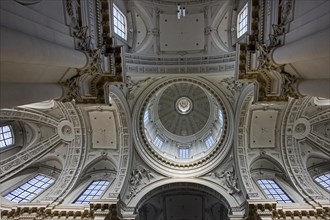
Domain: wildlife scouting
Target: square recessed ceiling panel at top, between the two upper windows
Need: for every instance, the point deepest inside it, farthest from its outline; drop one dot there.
(184, 34)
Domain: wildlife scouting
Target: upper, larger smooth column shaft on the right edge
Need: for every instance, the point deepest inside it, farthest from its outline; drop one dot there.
(308, 48)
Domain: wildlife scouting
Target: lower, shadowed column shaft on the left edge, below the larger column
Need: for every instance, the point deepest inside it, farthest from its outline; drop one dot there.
(15, 94)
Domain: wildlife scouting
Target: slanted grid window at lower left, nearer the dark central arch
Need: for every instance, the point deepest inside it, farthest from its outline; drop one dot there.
(93, 191)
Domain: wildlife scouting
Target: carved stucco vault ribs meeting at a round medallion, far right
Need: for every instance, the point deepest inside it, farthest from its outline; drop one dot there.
(290, 146)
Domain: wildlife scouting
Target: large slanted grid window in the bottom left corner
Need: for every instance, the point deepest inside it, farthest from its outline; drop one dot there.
(30, 189)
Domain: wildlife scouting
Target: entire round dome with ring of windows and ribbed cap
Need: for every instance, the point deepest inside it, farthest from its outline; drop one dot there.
(182, 124)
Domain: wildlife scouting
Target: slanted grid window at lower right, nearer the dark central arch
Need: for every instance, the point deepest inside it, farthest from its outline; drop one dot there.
(273, 191)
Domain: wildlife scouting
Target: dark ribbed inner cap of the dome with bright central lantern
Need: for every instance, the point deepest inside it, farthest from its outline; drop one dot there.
(183, 109)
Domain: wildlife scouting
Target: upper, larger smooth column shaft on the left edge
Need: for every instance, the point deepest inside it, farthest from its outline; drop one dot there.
(22, 48)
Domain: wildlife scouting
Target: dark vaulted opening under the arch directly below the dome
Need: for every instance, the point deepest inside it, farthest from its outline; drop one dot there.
(185, 194)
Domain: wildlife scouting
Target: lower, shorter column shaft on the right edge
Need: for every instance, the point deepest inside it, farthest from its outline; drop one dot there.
(314, 87)
